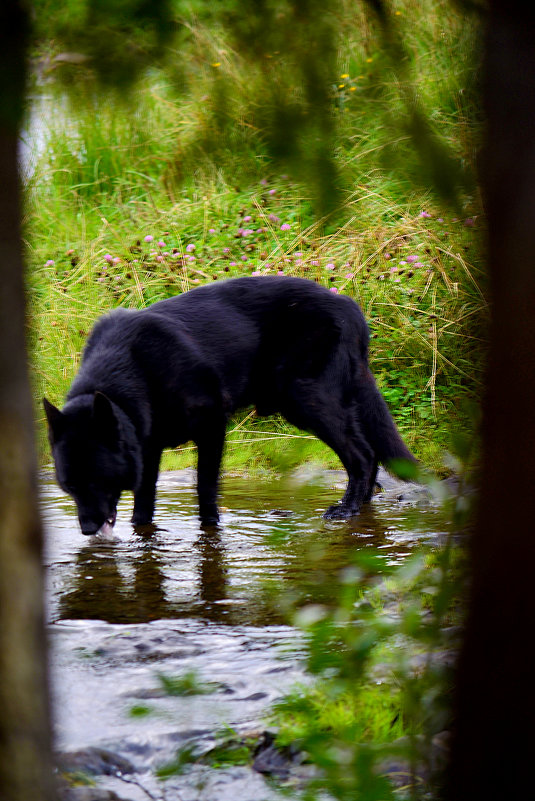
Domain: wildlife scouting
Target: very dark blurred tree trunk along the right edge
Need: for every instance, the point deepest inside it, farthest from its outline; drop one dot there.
(494, 742)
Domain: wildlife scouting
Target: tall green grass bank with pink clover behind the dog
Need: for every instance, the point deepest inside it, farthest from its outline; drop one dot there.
(167, 163)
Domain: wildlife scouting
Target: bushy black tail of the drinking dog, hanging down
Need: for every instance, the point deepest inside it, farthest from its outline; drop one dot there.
(379, 427)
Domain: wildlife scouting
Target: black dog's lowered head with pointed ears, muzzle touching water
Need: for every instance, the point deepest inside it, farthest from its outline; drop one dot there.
(93, 463)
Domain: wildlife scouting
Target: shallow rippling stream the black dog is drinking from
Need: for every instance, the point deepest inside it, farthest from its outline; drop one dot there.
(126, 610)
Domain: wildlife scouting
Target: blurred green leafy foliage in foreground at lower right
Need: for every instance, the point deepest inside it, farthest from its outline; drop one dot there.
(382, 658)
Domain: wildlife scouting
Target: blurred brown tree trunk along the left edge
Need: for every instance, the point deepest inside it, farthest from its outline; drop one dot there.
(25, 764)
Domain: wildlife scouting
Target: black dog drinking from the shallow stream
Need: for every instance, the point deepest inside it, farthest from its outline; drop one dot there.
(176, 371)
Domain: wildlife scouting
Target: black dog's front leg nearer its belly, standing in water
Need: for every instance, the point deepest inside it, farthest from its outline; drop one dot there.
(210, 450)
